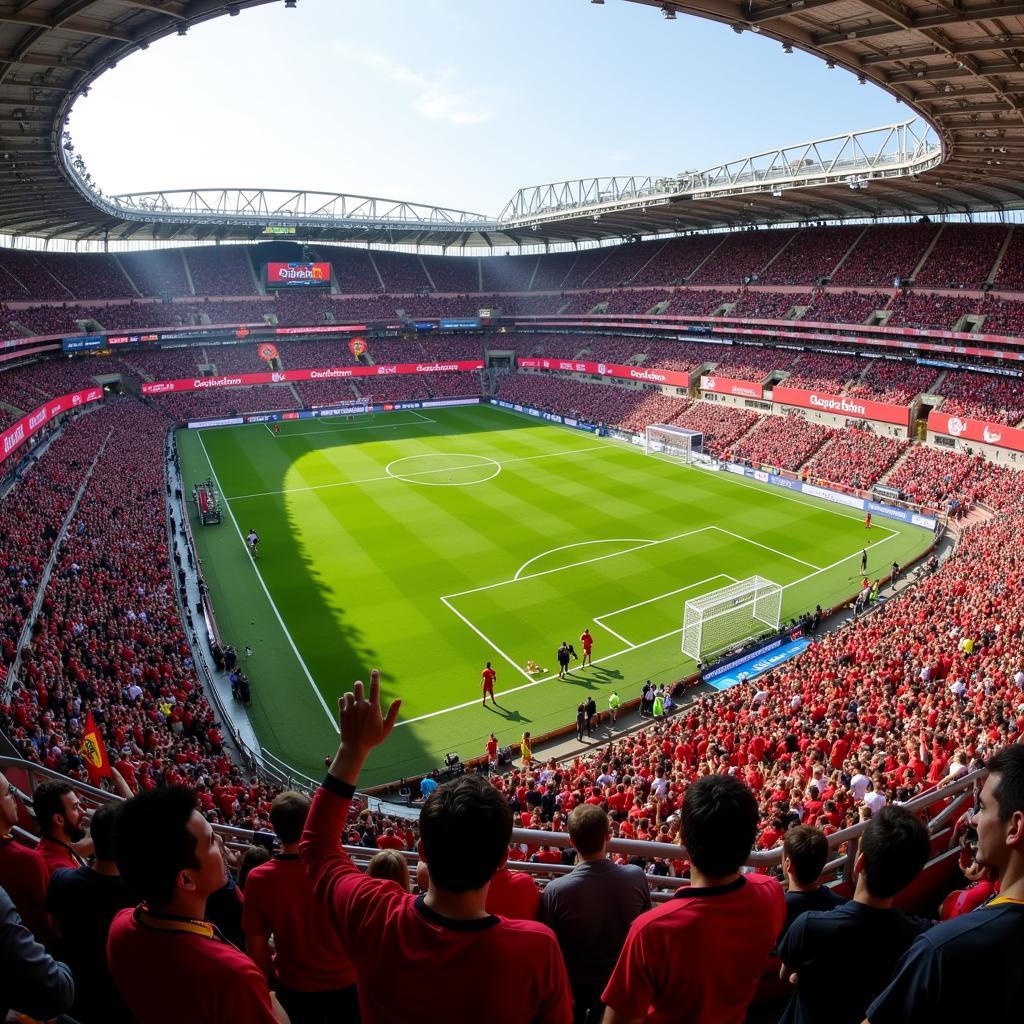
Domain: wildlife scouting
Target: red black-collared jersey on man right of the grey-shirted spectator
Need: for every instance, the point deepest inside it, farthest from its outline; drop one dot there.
(699, 957)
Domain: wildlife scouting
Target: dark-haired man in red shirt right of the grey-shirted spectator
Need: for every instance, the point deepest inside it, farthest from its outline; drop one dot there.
(699, 958)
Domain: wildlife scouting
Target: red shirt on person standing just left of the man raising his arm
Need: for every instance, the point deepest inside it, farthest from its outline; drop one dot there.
(309, 957)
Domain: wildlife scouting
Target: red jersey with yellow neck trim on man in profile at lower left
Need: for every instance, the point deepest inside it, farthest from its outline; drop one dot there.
(184, 973)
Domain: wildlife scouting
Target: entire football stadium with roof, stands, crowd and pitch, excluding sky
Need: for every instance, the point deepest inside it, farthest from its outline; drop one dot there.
(711, 482)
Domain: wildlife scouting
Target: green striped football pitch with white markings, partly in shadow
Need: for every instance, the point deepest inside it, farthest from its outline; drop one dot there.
(430, 542)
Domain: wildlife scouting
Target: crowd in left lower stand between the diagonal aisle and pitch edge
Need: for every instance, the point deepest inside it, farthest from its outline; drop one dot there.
(109, 639)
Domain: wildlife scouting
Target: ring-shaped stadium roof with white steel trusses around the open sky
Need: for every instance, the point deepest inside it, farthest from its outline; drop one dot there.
(957, 64)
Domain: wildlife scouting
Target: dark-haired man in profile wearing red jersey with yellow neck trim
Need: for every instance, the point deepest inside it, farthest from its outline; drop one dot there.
(169, 963)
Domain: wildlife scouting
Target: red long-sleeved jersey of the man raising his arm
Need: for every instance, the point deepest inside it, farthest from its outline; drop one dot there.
(387, 929)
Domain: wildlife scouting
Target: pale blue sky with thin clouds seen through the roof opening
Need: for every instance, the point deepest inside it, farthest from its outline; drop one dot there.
(455, 103)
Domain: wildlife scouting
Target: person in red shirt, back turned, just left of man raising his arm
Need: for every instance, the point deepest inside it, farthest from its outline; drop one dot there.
(316, 979)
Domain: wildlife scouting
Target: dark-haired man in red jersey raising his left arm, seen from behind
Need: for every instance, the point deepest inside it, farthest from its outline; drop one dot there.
(444, 942)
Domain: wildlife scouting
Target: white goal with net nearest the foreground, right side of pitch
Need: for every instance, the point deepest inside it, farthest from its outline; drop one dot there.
(723, 618)
